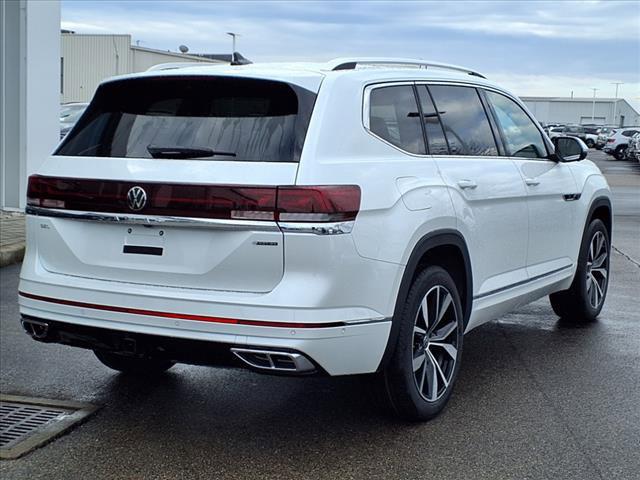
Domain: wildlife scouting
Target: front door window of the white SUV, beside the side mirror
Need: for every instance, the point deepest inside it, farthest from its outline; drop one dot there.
(520, 134)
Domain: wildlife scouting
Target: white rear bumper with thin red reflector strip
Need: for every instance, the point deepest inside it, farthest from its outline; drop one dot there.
(337, 348)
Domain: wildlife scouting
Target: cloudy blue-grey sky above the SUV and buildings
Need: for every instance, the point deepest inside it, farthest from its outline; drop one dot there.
(533, 48)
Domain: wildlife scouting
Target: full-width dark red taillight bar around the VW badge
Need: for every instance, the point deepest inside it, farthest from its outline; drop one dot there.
(324, 203)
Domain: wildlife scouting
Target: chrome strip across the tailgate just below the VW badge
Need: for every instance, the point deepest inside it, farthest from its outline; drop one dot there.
(155, 220)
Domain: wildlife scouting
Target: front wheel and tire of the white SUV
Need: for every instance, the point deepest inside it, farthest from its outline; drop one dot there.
(583, 301)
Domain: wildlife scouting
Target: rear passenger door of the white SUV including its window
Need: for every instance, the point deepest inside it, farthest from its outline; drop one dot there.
(486, 188)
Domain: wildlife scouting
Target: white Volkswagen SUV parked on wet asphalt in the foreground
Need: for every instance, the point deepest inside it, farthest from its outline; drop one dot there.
(309, 219)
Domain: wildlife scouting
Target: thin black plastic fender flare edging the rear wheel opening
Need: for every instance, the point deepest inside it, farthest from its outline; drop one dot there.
(437, 238)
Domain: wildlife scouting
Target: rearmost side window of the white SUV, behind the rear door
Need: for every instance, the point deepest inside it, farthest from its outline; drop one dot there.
(394, 117)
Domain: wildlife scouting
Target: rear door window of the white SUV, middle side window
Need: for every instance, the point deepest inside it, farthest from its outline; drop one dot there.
(464, 120)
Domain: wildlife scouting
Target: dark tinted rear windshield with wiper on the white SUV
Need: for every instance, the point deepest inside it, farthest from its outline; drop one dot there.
(207, 118)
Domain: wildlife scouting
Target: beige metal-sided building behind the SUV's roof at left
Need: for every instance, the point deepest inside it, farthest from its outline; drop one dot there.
(86, 60)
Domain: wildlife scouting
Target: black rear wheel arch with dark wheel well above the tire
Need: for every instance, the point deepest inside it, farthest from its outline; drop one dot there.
(446, 248)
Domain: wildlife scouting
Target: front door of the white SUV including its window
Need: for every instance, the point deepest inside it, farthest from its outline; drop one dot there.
(551, 189)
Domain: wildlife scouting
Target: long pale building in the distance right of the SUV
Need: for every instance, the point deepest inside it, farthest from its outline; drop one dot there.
(582, 110)
